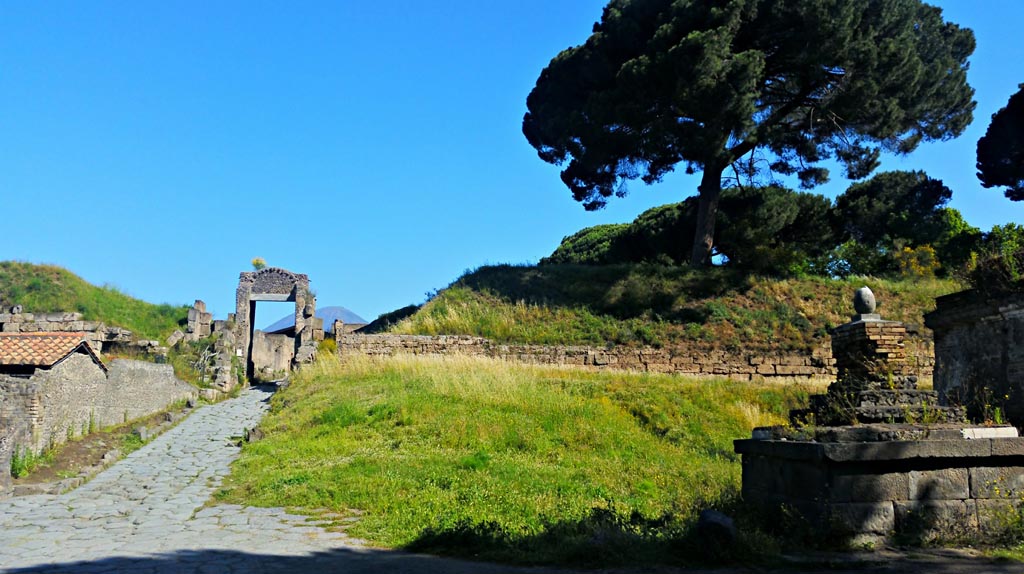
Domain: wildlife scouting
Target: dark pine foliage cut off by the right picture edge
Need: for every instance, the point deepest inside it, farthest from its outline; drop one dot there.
(1001, 151)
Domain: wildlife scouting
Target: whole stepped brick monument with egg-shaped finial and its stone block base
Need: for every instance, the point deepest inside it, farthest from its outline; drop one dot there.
(862, 474)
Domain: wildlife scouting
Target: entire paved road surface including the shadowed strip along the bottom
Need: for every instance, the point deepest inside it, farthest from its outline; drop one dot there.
(147, 514)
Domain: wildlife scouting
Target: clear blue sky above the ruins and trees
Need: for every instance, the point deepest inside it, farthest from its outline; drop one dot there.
(376, 147)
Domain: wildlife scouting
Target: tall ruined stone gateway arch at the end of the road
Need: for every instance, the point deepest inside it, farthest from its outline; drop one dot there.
(274, 284)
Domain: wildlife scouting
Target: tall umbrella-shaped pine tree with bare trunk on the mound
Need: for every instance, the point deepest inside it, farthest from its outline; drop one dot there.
(749, 89)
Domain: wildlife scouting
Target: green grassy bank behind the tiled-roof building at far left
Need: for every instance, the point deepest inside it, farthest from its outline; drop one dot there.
(51, 289)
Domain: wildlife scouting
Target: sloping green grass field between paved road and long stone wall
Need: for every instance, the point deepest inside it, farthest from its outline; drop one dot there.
(524, 464)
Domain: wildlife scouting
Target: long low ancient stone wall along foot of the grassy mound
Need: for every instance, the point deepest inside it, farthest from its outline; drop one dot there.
(693, 362)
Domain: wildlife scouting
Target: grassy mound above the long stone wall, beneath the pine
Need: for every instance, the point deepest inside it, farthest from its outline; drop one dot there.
(643, 304)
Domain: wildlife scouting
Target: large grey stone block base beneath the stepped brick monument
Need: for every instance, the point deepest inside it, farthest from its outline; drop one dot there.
(918, 491)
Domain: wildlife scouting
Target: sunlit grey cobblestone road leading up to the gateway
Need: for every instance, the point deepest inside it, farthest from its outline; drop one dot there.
(152, 503)
